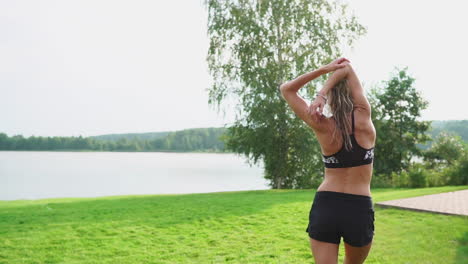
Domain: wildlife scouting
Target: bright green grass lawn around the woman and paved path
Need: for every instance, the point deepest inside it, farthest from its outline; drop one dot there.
(227, 227)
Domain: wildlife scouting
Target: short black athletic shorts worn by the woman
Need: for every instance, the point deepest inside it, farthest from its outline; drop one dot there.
(335, 214)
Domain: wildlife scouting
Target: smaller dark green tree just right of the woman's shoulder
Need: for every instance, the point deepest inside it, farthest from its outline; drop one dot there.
(396, 109)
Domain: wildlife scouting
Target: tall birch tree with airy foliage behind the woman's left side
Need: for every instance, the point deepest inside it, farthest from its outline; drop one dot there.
(254, 47)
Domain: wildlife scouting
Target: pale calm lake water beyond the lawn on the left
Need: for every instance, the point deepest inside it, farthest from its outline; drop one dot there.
(44, 174)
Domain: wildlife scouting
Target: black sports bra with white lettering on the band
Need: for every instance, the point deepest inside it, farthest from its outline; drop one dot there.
(357, 156)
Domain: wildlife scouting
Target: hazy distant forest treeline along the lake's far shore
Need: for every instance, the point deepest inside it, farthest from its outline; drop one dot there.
(188, 140)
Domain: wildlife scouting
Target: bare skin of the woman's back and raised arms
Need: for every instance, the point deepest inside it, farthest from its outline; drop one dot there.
(355, 180)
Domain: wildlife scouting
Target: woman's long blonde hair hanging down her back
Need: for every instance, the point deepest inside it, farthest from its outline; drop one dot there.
(341, 105)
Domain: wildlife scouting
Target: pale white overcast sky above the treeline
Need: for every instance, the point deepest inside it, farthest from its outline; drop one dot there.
(70, 68)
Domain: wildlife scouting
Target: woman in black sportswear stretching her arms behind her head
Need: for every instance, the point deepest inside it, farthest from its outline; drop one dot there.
(342, 205)
